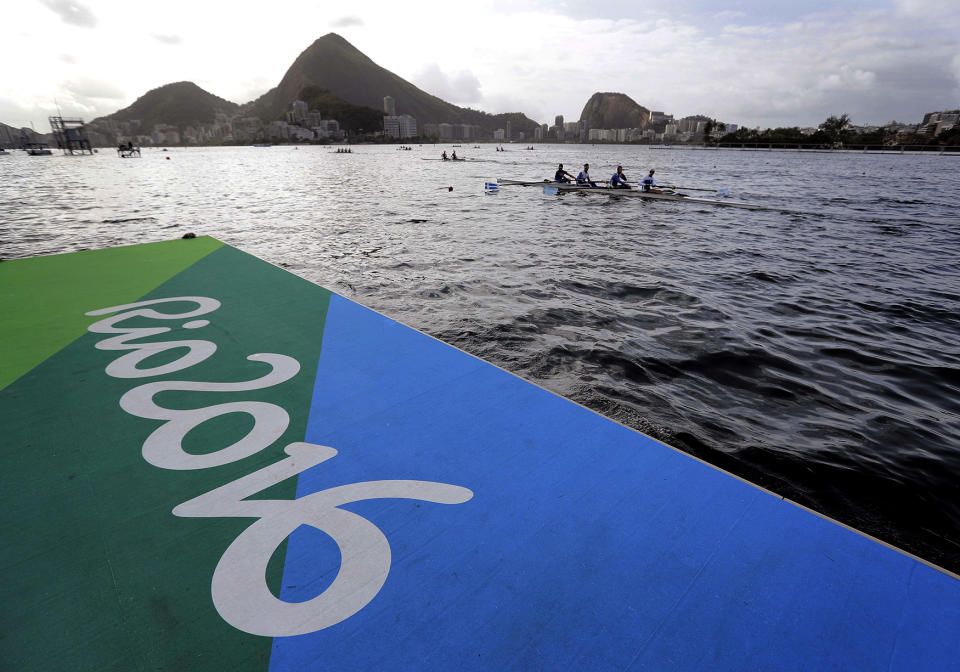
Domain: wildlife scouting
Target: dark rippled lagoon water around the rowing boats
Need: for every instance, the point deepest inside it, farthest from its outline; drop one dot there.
(814, 350)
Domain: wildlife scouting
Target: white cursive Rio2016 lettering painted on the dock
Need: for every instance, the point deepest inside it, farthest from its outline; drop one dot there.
(239, 589)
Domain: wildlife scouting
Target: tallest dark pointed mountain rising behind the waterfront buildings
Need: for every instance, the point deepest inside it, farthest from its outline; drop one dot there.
(333, 64)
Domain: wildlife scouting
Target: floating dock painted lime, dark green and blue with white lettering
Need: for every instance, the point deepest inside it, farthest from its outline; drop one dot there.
(211, 464)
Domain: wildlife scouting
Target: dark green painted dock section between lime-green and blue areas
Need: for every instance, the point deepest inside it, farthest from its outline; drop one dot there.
(96, 573)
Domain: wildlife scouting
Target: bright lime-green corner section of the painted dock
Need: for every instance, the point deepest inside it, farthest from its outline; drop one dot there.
(43, 300)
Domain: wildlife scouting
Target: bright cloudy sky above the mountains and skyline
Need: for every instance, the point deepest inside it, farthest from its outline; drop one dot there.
(763, 63)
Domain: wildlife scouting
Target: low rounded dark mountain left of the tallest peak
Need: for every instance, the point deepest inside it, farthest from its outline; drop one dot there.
(178, 104)
